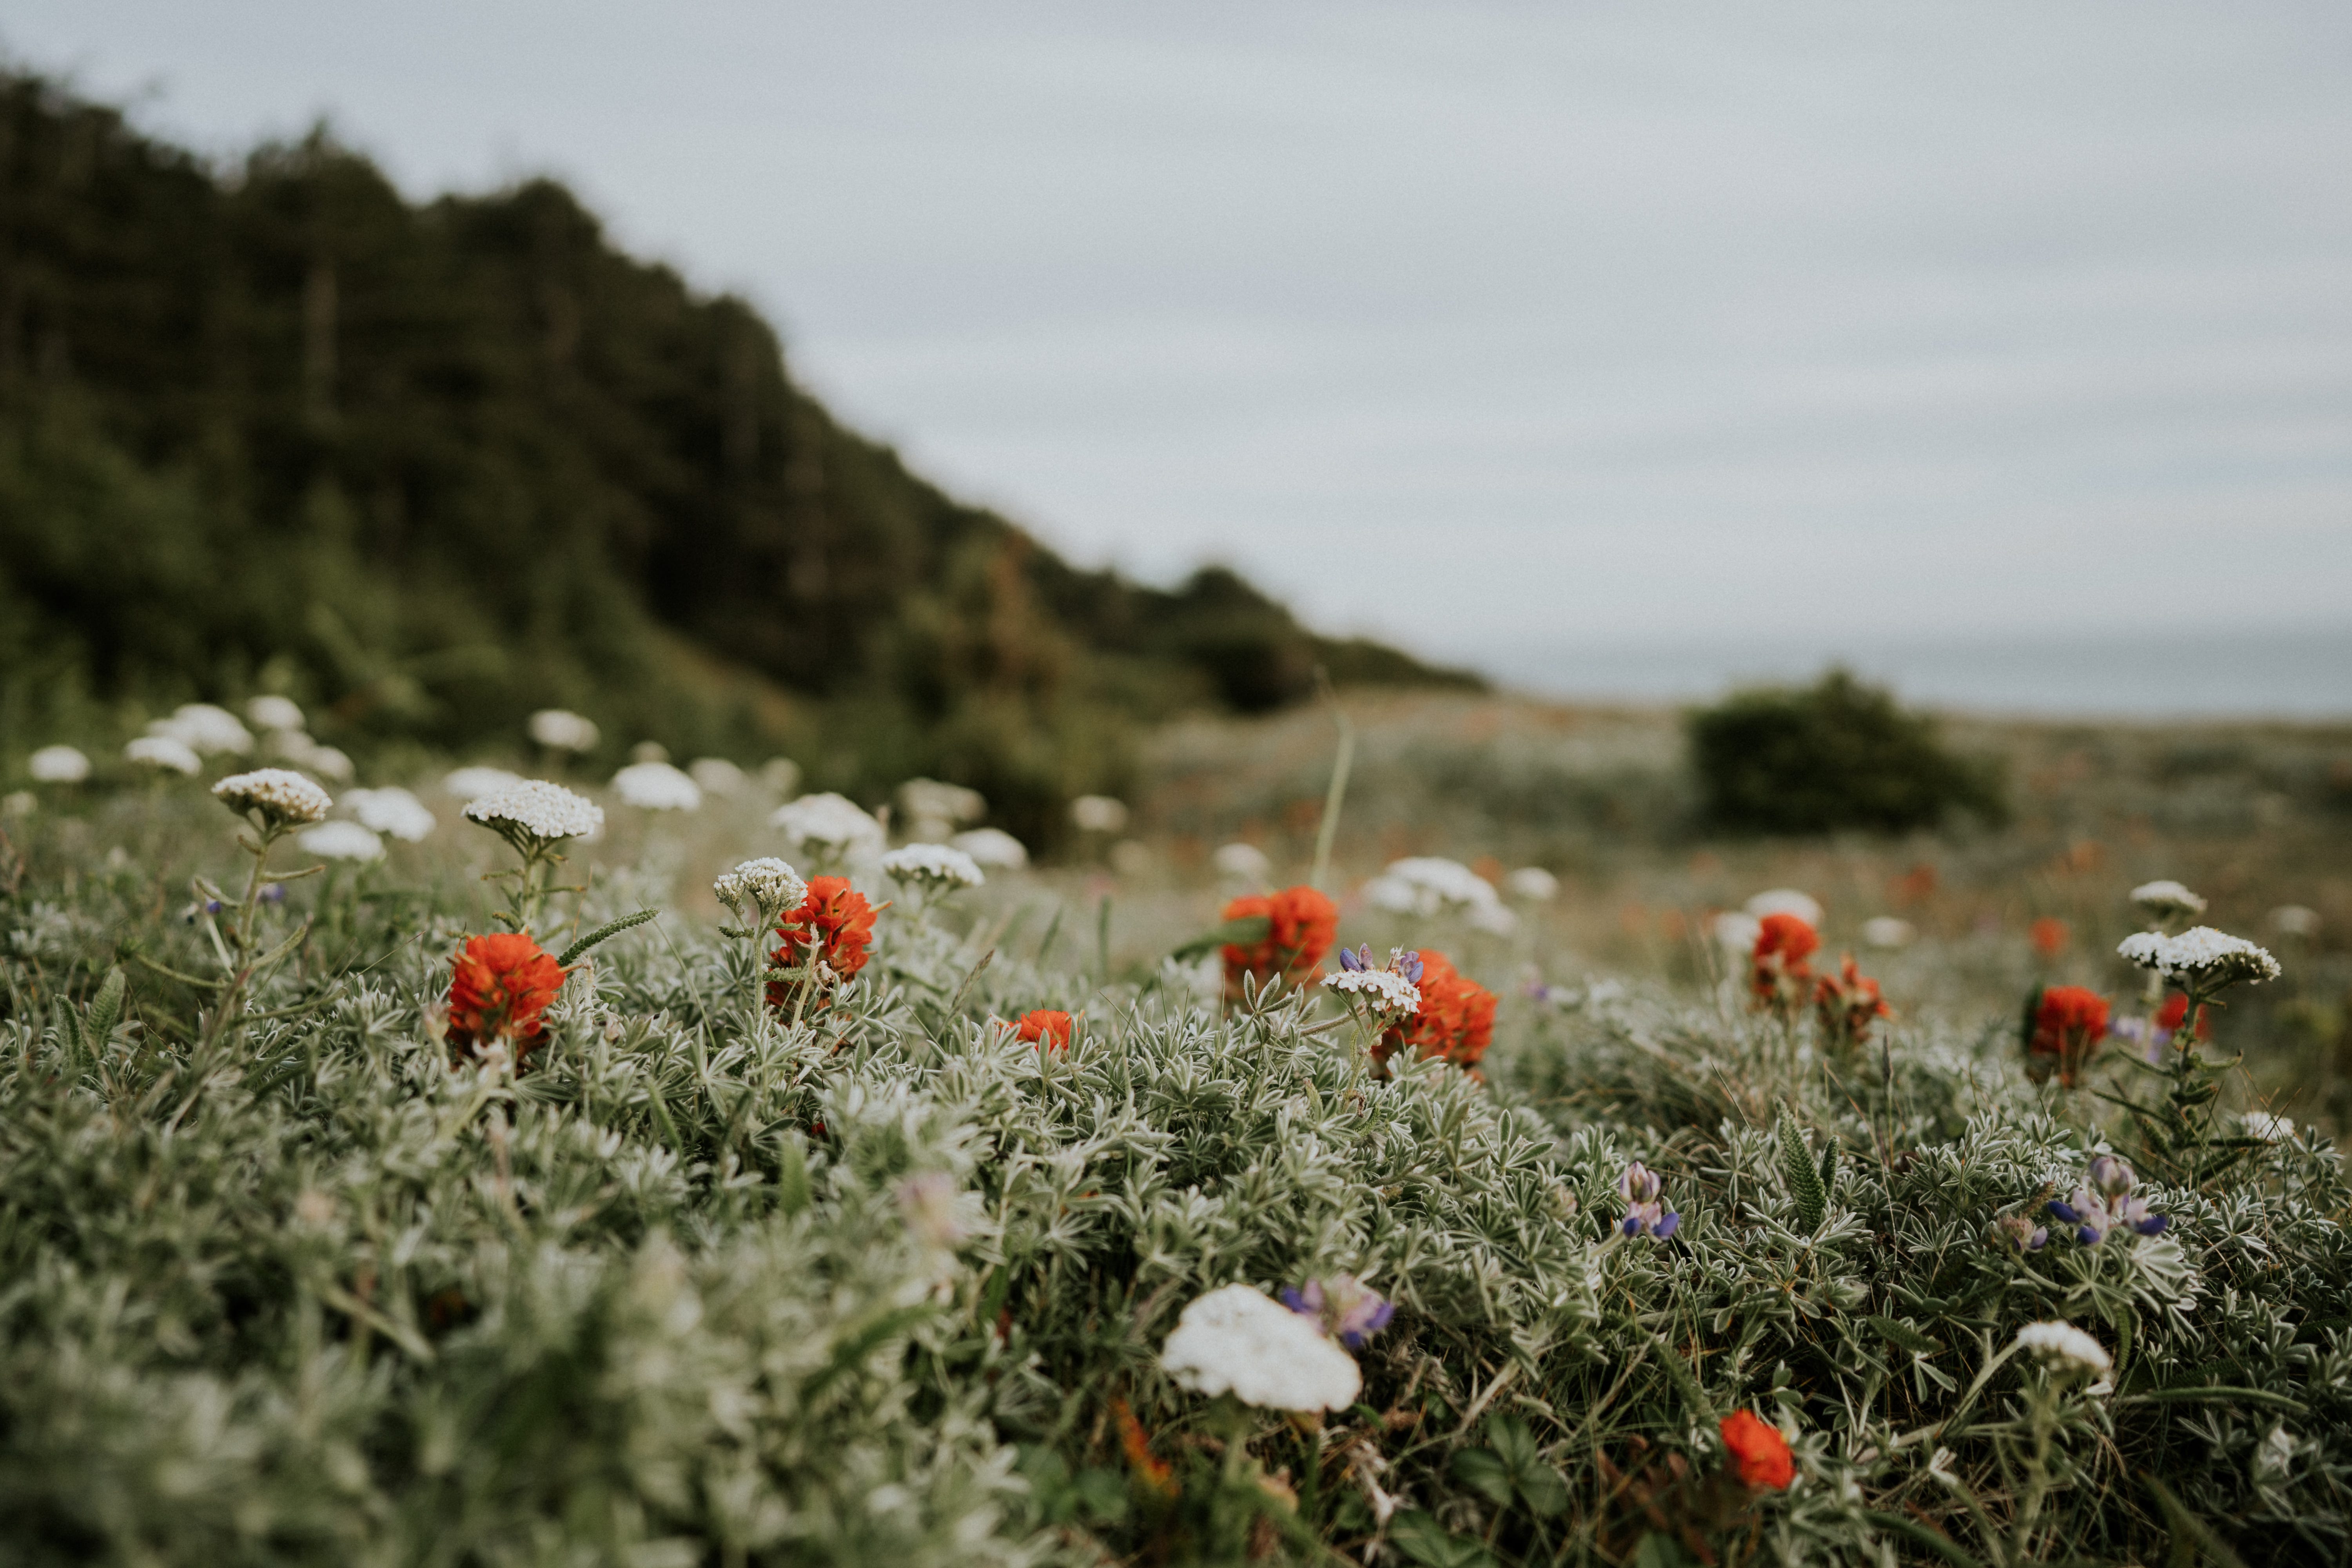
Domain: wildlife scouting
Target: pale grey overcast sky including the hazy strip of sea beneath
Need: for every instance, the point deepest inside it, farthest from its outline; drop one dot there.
(1544, 337)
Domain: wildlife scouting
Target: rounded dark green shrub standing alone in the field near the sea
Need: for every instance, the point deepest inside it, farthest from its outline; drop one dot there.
(1833, 756)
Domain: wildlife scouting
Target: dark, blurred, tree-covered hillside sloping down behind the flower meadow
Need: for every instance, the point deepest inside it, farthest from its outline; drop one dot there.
(434, 467)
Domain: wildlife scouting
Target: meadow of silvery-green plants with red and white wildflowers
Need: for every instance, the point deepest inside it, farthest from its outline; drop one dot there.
(683, 1170)
